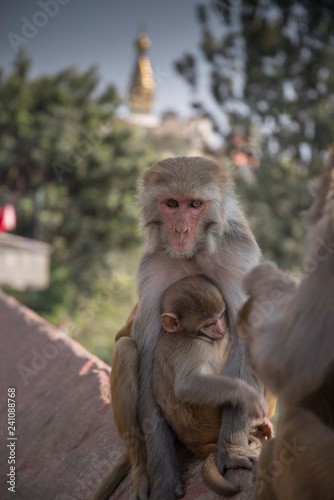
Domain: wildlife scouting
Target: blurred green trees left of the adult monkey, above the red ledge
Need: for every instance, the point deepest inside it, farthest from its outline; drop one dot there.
(69, 165)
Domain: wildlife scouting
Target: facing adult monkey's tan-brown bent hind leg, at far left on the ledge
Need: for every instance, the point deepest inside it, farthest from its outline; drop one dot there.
(124, 395)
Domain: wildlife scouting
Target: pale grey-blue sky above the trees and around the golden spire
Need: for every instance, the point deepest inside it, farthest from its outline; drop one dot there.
(102, 33)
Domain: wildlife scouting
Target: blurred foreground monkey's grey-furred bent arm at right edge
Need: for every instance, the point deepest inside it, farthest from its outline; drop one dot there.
(282, 322)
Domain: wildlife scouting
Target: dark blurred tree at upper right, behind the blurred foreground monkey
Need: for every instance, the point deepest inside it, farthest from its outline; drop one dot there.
(271, 74)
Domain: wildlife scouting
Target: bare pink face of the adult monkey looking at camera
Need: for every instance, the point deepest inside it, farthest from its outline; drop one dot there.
(182, 216)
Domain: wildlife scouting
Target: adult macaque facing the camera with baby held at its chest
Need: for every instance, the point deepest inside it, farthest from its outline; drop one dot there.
(193, 225)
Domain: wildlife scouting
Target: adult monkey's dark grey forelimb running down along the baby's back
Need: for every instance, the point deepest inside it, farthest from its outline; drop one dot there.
(162, 464)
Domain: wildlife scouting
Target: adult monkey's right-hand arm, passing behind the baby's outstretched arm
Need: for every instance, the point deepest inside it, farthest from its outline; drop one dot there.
(236, 257)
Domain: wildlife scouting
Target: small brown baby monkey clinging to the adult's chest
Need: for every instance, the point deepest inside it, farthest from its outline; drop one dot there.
(188, 384)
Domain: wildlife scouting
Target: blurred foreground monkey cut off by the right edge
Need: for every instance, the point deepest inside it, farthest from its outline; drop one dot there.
(289, 332)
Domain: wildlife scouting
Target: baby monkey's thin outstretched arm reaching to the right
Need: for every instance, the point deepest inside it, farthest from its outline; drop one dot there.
(215, 390)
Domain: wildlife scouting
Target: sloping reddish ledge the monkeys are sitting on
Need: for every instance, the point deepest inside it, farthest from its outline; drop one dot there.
(66, 436)
